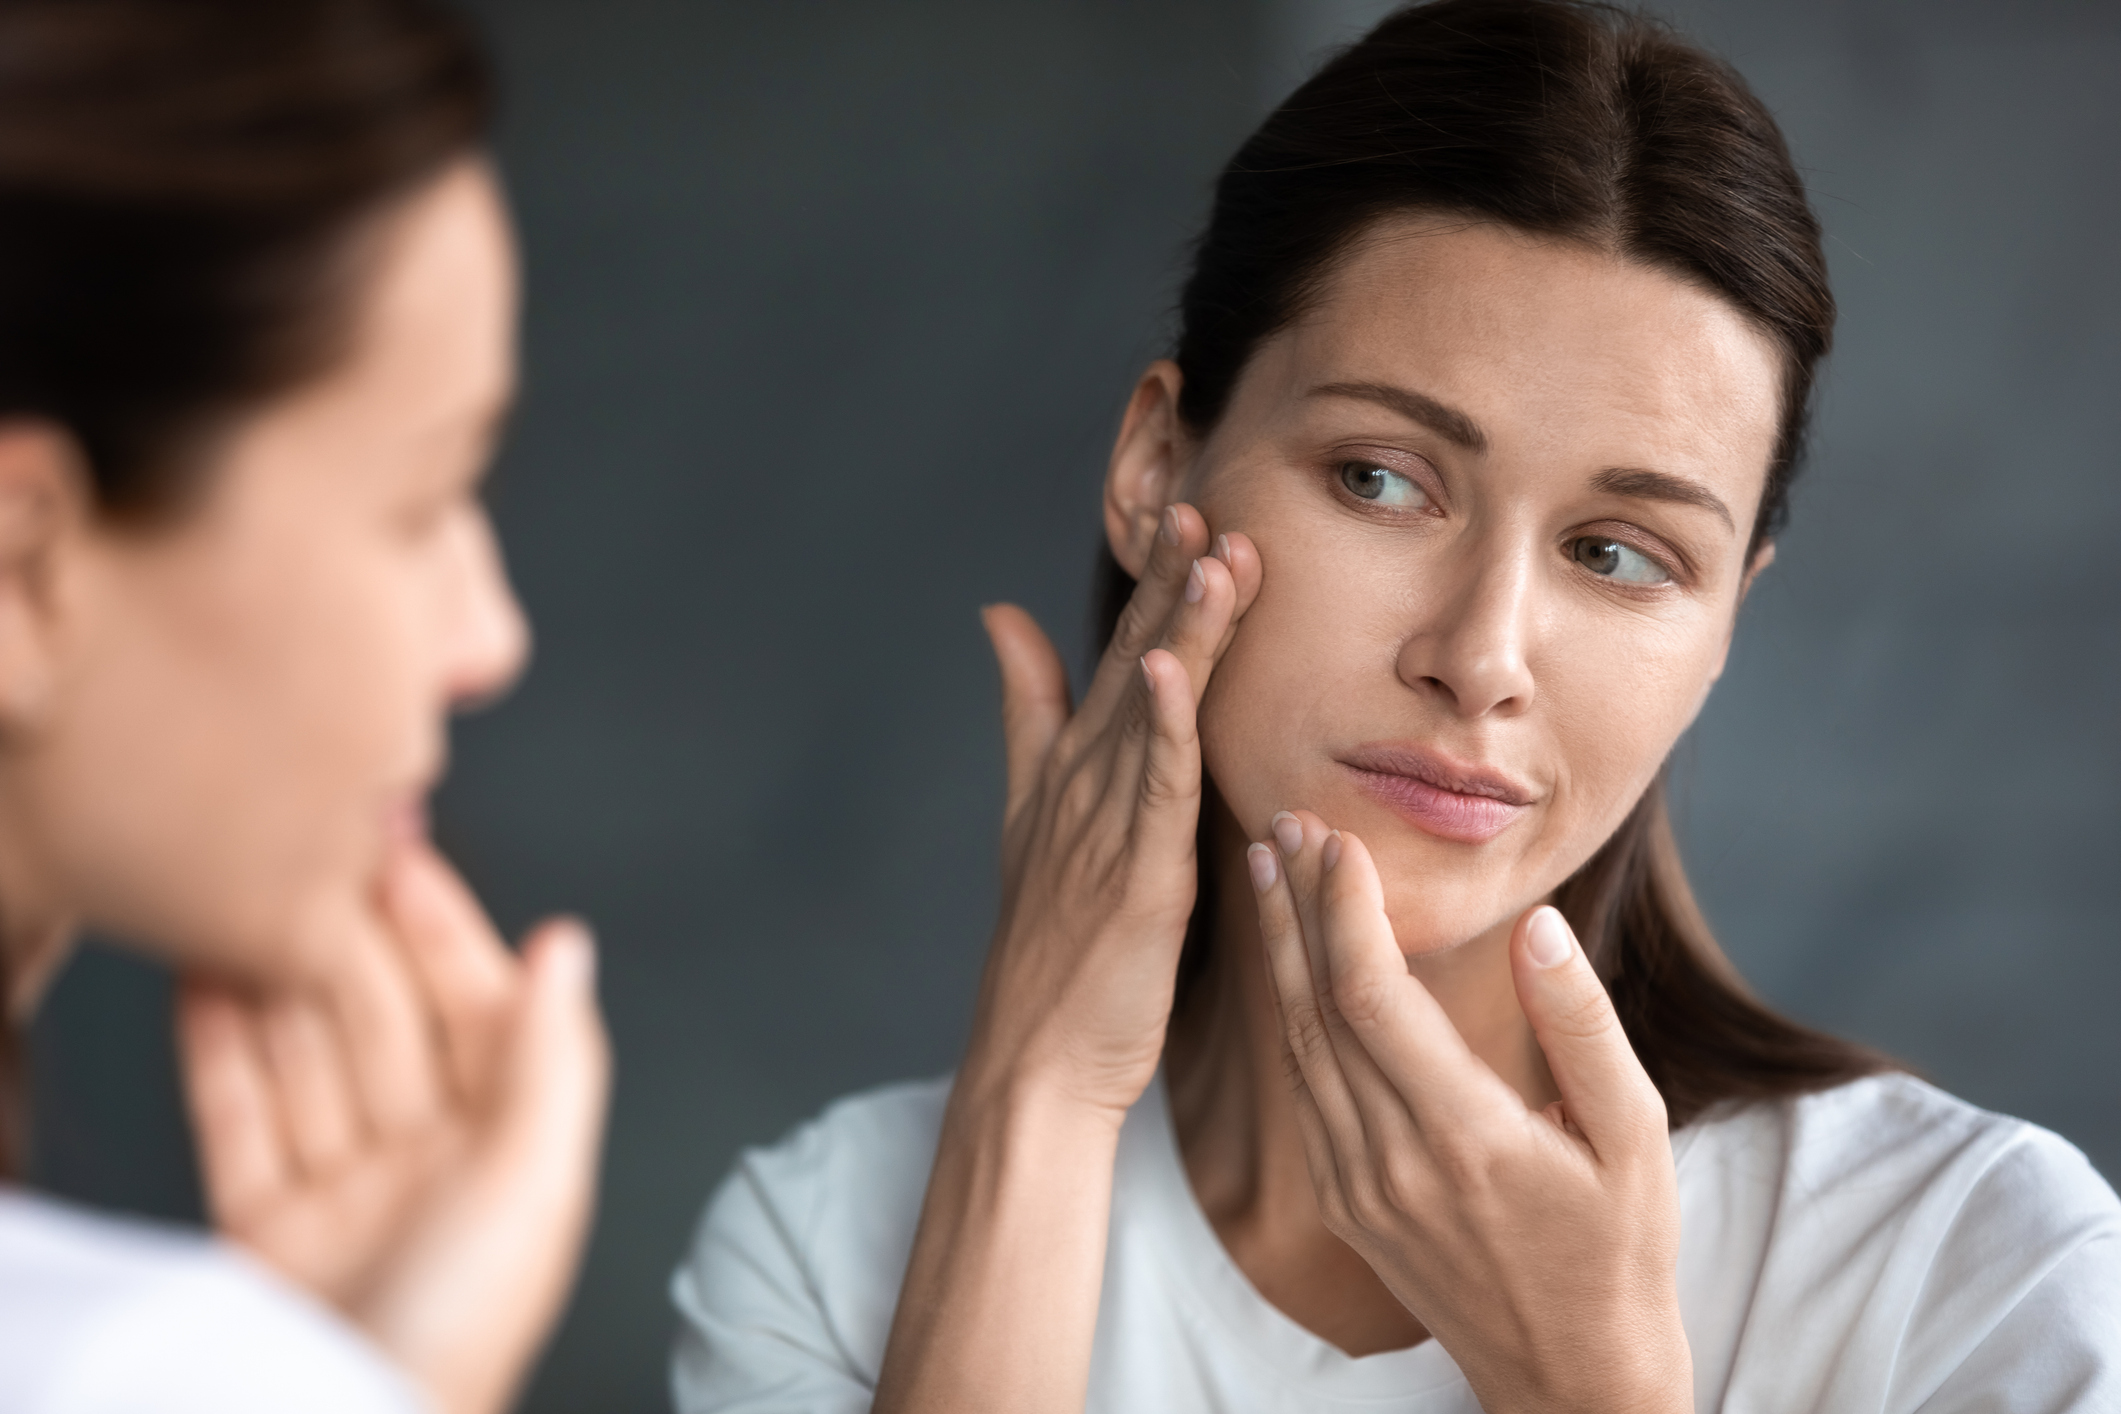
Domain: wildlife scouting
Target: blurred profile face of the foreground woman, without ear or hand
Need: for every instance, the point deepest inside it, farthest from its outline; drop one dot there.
(251, 703)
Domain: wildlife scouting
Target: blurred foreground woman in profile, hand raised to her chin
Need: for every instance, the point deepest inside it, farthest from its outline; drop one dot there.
(258, 315)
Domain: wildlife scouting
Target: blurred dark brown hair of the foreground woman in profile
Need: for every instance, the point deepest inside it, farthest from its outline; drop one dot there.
(181, 194)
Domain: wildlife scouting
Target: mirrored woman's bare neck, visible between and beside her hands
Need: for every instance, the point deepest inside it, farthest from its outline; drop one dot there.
(1238, 1125)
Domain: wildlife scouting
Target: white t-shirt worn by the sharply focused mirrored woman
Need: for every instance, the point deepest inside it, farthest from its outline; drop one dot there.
(1880, 1248)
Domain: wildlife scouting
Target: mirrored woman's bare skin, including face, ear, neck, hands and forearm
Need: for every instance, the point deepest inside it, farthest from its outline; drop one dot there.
(1479, 523)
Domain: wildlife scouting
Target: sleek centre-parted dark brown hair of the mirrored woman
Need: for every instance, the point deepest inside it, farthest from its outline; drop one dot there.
(1588, 124)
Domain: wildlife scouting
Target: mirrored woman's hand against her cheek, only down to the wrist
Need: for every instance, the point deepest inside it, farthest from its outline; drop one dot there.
(1100, 832)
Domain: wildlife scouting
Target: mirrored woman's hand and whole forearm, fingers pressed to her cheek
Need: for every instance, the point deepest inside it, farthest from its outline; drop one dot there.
(1098, 845)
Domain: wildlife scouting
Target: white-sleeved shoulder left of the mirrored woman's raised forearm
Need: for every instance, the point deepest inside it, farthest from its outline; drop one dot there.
(801, 1254)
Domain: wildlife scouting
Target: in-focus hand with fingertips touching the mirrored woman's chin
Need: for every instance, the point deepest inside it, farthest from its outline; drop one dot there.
(1541, 1248)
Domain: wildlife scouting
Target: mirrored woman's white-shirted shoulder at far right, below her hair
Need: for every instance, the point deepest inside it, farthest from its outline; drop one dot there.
(1882, 1218)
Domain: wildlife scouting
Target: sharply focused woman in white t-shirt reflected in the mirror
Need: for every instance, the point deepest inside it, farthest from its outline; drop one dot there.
(1350, 1038)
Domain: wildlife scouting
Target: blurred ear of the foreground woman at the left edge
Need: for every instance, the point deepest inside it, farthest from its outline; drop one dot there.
(41, 506)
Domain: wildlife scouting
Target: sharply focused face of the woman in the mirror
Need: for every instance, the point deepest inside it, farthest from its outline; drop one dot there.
(1503, 491)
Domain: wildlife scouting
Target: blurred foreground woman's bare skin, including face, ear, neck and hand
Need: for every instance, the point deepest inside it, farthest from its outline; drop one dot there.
(217, 739)
